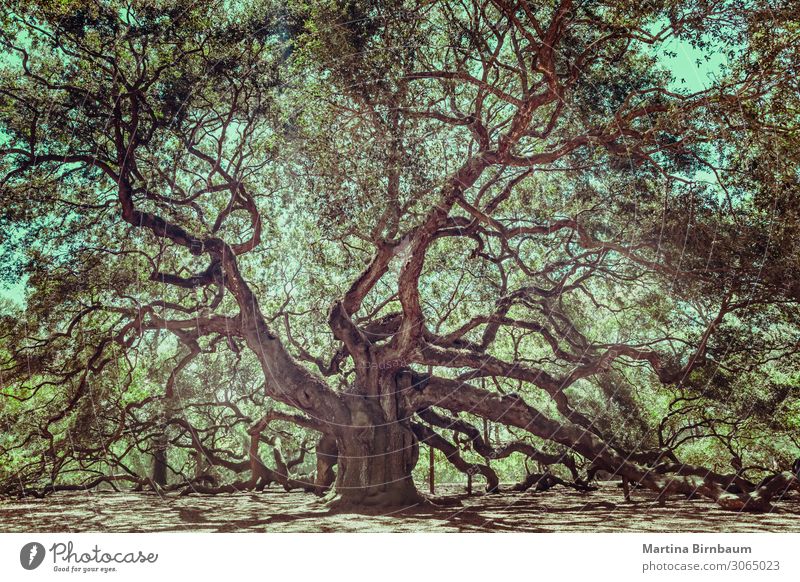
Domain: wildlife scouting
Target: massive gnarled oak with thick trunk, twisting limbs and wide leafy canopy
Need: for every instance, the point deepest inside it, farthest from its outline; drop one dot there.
(296, 242)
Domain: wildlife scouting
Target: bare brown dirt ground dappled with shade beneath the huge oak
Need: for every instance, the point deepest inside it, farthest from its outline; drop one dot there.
(557, 510)
